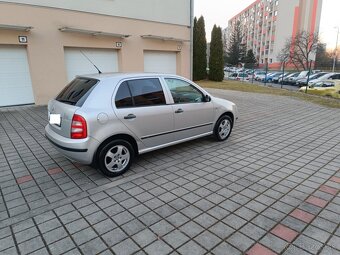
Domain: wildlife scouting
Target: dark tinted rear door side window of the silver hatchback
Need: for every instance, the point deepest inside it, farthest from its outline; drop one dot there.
(141, 92)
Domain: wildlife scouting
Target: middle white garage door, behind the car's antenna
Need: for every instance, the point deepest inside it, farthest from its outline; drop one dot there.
(77, 64)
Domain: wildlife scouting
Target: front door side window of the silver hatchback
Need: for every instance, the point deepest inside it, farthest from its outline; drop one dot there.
(183, 92)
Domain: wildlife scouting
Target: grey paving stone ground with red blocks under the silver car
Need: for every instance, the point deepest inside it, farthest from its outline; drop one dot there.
(272, 188)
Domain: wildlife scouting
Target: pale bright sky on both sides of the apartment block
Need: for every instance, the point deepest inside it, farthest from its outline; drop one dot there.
(220, 11)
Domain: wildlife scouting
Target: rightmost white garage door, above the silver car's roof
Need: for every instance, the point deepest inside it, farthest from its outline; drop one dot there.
(160, 62)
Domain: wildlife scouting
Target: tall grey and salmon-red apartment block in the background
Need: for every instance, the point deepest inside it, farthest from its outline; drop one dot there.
(267, 24)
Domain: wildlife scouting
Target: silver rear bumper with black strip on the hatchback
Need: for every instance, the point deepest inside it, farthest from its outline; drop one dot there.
(81, 150)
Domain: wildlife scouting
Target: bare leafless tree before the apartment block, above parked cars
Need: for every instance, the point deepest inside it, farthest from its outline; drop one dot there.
(299, 49)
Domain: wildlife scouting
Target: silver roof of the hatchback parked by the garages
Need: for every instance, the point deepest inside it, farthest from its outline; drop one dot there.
(104, 76)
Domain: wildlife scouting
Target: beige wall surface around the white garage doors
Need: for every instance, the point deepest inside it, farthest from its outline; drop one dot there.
(46, 43)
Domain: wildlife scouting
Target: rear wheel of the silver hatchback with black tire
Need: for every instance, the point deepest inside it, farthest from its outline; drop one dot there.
(115, 158)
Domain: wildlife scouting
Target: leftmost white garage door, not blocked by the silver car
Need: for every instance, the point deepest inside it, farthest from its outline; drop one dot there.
(15, 79)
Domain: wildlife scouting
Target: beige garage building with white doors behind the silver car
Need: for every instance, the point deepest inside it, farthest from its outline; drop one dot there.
(45, 43)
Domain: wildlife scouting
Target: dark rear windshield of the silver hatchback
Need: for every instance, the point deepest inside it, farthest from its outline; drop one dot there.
(76, 92)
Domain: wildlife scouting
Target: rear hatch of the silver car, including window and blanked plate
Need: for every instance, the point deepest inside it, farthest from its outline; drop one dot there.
(69, 100)
